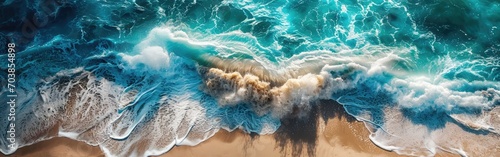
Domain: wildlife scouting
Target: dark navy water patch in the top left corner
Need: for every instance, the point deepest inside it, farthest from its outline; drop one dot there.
(28, 22)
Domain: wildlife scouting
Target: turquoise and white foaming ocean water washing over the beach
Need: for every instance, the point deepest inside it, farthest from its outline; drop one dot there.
(138, 77)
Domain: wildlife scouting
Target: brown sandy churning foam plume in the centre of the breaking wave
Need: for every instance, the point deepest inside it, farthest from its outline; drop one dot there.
(233, 88)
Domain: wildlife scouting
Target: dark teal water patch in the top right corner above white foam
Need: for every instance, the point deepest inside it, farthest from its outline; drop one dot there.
(460, 22)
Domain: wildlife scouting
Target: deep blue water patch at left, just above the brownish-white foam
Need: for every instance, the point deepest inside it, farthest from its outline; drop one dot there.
(54, 57)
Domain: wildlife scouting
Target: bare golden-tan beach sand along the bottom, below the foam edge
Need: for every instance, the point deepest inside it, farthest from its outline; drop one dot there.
(340, 135)
